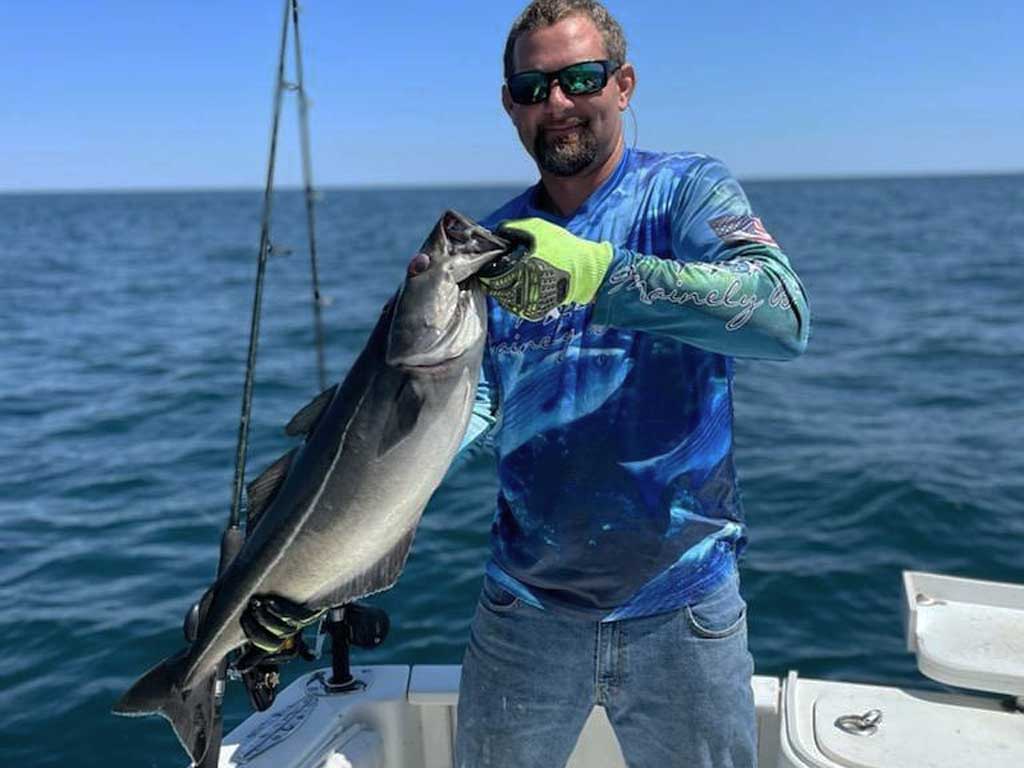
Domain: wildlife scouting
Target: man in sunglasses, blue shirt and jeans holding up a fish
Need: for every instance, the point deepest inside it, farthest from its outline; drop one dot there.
(608, 392)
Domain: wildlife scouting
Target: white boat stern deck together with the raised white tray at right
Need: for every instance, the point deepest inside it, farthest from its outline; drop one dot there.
(965, 633)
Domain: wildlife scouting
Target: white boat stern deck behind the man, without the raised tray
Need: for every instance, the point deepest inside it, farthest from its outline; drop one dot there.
(406, 718)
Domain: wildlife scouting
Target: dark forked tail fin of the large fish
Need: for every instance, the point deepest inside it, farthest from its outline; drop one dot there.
(191, 711)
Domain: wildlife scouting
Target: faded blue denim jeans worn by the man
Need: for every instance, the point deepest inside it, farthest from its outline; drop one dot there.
(676, 687)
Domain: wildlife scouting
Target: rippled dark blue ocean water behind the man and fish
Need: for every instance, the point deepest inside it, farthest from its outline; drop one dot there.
(894, 443)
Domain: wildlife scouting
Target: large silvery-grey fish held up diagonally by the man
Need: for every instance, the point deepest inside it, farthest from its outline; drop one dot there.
(333, 520)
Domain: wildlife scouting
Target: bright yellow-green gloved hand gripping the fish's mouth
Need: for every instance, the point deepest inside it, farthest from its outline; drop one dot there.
(560, 269)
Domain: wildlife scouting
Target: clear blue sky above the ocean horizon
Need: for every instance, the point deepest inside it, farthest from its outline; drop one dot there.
(178, 94)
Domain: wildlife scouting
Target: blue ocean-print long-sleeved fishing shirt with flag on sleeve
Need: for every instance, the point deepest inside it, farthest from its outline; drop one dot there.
(613, 422)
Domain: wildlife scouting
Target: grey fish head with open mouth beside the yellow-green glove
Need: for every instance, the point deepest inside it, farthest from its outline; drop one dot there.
(441, 312)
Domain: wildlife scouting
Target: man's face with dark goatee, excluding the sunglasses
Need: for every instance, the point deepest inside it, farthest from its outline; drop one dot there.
(568, 136)
